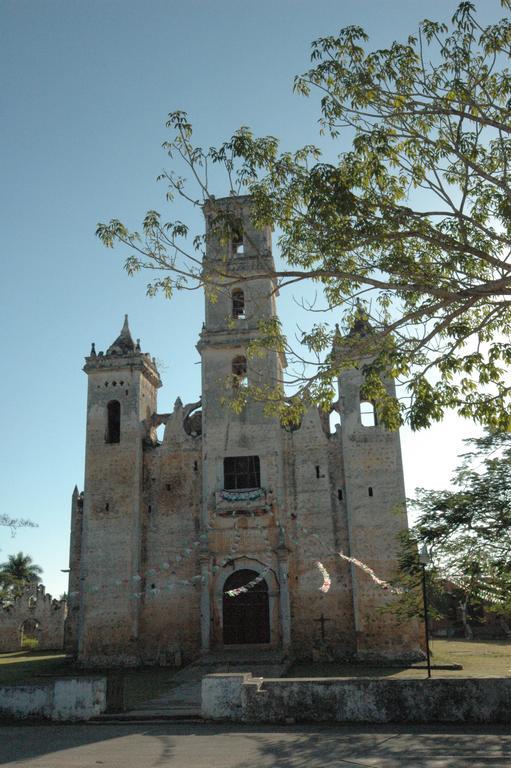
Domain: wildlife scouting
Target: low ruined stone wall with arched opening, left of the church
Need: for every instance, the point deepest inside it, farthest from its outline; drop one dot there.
(33, 605)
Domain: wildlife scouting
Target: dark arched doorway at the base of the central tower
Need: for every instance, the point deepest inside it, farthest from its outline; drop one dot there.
(246, 617)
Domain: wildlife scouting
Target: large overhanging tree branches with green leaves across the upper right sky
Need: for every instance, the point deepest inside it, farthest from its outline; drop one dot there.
(410, 227)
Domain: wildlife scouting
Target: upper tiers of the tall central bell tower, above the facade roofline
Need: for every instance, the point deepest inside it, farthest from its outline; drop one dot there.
(238, 300)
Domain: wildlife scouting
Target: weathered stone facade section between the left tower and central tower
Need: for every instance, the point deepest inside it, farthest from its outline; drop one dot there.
(169, 590)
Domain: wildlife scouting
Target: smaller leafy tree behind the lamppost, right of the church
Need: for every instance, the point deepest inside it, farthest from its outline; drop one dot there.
(468, 529)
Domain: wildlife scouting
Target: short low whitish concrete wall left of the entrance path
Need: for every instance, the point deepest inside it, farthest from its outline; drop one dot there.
(73, 698)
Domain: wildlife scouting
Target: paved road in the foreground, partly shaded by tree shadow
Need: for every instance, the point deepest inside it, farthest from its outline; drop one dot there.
(231, 746)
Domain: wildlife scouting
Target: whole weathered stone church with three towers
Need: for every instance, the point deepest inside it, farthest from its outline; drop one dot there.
(226, 534)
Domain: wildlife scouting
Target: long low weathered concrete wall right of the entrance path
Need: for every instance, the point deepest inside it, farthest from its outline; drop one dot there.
(356, 700)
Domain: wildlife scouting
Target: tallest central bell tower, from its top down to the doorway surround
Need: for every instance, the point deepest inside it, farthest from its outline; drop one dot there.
(242, 452)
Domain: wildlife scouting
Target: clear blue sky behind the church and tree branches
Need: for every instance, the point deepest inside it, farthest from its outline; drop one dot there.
(86, 87)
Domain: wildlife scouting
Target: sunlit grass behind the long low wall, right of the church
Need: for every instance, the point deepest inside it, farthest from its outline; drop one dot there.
(489, 659)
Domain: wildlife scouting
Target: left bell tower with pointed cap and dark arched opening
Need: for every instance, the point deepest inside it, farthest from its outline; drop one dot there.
(122, 386)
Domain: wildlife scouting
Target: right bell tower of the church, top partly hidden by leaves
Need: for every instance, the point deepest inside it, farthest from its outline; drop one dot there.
(375, 507)
